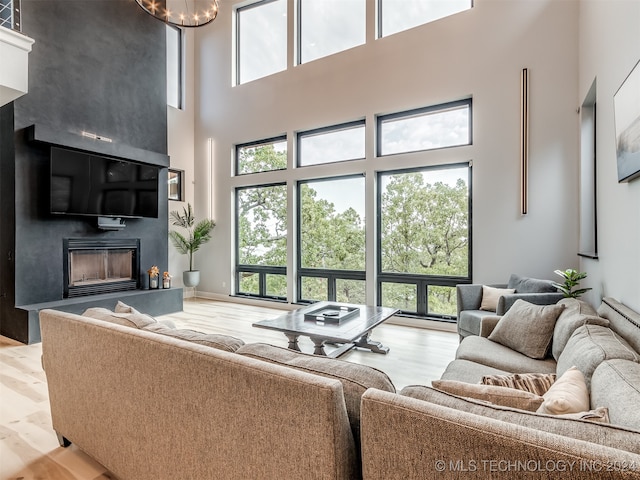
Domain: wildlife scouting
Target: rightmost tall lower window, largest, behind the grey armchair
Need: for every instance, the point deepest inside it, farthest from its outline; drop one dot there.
(424, 232)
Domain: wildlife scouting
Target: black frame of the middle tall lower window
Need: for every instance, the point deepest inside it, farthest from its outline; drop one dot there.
(330, 274)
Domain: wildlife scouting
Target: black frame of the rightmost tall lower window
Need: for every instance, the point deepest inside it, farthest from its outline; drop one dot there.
(422, 281)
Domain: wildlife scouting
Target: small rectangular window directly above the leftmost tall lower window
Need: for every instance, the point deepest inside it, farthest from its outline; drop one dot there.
(261, 156)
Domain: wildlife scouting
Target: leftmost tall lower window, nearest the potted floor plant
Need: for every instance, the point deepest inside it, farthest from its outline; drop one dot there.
(261, 231)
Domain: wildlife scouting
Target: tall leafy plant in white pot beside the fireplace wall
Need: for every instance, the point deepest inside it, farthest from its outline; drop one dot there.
(197, 235)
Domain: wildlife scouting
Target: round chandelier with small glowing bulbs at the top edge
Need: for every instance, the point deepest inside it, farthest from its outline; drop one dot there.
(181, 13)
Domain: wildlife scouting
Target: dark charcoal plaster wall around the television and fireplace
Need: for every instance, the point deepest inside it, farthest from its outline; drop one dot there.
(97, 66)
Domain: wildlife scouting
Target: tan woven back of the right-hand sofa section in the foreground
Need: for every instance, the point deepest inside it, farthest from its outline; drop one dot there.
(403, 438)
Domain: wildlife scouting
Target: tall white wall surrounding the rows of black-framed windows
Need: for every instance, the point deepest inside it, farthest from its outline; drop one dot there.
(478, 53)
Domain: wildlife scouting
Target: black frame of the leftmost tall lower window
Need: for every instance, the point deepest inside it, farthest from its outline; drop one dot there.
(261, 270)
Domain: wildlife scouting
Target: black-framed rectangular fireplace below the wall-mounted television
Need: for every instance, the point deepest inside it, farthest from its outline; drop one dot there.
(100, 266)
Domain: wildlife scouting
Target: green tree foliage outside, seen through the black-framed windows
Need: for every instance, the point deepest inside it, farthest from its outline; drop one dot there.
(424, 231)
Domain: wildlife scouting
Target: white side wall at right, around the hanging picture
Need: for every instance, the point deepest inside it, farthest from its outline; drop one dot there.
(609, 48)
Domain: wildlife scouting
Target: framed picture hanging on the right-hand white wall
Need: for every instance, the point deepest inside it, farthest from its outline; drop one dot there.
(626, 105)
